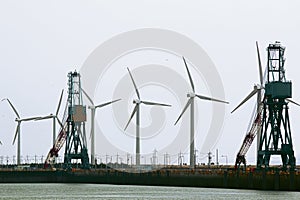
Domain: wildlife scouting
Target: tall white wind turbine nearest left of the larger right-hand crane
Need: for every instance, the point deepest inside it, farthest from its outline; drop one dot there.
(191, 97)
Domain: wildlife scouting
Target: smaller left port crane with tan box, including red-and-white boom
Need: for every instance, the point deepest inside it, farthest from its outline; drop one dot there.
(72, 131)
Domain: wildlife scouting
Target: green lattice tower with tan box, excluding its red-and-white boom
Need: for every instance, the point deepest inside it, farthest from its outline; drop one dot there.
(76, 145)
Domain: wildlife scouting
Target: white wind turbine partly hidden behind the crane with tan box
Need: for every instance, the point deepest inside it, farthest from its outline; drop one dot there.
(93, 111)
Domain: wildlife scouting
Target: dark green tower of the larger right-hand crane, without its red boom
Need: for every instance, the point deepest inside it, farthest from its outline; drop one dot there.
(275, 137)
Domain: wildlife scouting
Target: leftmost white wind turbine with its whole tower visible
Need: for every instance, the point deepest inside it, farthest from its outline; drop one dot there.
(18, 129)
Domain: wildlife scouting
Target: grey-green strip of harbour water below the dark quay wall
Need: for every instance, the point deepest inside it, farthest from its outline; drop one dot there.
(98, 191)
